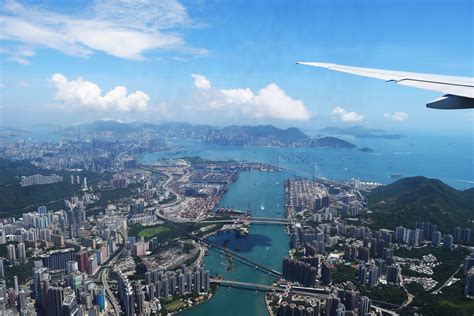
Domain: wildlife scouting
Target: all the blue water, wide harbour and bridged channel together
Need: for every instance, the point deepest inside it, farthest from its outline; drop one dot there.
(264, 192)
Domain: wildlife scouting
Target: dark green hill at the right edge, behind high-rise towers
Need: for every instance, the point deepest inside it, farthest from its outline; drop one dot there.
(421, 199)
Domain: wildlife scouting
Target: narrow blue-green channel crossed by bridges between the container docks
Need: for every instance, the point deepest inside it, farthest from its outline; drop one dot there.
(264, 244)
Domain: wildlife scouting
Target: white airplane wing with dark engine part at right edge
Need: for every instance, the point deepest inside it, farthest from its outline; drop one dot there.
(459, 91)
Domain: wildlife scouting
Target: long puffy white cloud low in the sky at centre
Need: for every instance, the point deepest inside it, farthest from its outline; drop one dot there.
(270, 102)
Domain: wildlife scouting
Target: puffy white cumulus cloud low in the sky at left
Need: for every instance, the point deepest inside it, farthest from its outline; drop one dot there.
(86, 94)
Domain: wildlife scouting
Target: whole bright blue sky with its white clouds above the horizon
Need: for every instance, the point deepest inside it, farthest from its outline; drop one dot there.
(242, 55)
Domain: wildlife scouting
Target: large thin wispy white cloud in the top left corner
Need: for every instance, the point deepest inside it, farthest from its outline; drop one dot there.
(124, 28)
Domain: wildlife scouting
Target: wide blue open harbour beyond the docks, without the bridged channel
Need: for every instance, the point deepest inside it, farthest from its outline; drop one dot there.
(390, 156)
